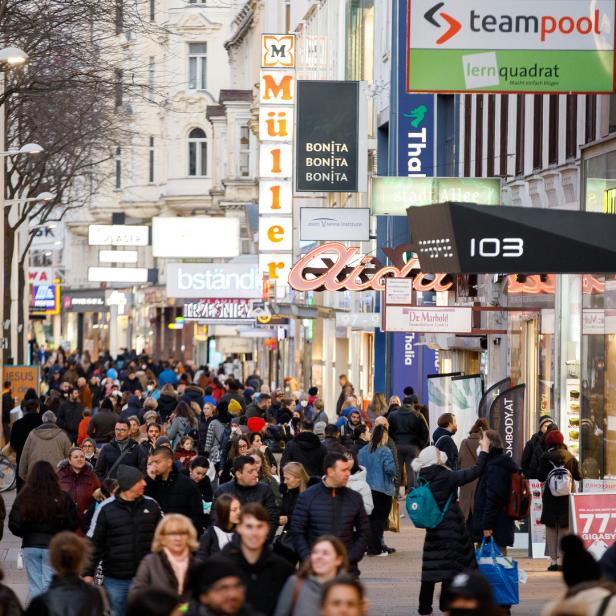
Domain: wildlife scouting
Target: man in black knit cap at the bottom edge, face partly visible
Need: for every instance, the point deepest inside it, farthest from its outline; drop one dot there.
(218, 590)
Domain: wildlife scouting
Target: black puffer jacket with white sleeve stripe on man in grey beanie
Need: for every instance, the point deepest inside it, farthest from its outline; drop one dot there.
(121, 533)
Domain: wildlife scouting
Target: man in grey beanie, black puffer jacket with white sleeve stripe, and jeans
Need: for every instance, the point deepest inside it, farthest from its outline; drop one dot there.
(121, 531)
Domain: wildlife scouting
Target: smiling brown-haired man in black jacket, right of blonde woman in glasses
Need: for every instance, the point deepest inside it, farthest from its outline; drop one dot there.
(263, 572)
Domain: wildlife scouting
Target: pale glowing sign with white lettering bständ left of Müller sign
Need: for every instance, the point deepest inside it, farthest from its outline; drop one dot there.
(213, 280)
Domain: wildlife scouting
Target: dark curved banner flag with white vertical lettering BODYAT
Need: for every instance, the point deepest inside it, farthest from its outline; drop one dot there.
(507, 418)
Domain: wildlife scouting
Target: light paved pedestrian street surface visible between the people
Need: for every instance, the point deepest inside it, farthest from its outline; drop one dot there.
(393, 581)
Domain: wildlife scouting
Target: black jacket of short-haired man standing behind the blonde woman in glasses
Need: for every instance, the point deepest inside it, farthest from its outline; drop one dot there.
(178, 494)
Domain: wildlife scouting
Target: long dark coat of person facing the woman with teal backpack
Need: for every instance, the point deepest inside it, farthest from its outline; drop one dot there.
(492, 497)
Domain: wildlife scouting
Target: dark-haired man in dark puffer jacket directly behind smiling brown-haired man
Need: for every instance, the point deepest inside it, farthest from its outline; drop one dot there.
(247, 488)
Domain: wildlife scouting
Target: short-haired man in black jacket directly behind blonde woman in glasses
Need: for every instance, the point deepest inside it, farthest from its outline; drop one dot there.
(173, 491)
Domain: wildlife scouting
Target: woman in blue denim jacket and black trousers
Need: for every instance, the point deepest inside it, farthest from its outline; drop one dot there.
(381, 473)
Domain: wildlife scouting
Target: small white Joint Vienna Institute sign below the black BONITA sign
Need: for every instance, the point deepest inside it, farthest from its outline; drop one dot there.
(334, 224)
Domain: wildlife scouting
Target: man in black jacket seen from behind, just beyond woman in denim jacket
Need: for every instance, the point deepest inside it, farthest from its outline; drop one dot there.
(410, 433)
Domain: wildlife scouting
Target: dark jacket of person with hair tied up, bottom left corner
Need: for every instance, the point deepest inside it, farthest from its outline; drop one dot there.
(69, 596)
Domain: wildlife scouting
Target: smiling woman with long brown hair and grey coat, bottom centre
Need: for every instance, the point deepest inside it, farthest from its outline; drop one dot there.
(301, 595)
